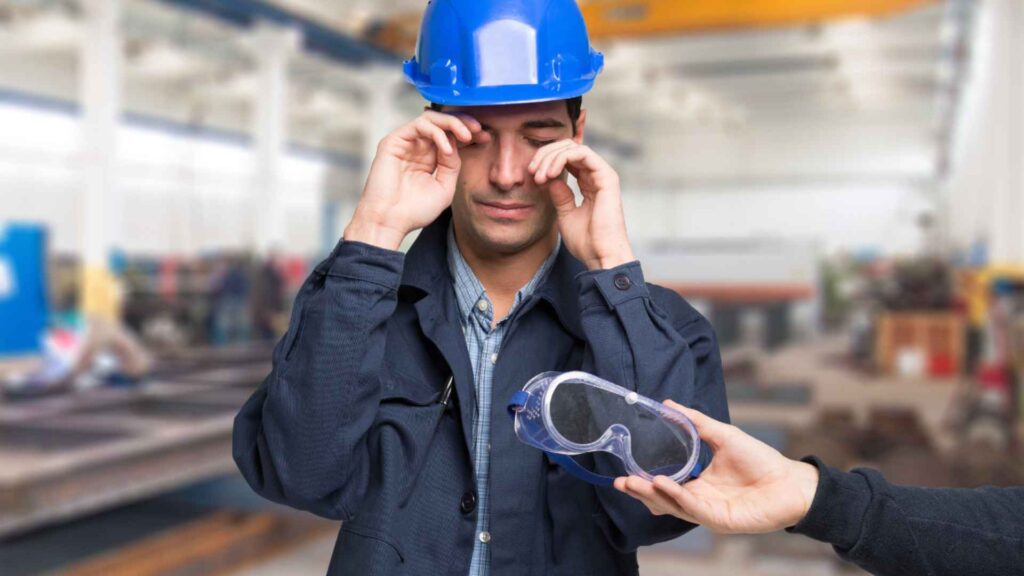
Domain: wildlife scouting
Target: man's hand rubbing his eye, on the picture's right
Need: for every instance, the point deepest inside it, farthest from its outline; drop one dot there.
(595, 231)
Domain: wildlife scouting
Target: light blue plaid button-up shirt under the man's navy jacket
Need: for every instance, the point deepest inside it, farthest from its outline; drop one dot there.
(484, 344)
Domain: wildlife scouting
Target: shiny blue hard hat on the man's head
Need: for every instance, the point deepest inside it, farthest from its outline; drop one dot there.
(481, 53)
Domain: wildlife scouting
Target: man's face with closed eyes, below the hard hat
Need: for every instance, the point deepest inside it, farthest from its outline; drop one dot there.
(498, 208)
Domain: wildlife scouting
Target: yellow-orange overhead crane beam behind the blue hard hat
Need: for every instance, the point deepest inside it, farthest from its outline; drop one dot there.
(642, 19)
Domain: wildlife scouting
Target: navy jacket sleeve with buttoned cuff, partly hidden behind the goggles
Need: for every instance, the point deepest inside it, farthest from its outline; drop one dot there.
(649, 340)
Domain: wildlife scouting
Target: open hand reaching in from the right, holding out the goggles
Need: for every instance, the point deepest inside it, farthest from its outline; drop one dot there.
(750, 488)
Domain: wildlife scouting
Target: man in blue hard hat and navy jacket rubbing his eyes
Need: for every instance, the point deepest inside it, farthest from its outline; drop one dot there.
(357, 421)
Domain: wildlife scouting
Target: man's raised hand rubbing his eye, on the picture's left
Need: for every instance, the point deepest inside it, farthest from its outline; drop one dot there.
(413, 178)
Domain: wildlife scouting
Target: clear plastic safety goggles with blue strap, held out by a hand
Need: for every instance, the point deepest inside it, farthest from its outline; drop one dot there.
(572, 414)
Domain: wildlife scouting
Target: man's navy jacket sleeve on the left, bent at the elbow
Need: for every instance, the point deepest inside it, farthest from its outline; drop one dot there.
(302, 439)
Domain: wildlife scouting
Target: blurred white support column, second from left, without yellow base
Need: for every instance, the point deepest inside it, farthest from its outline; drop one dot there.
(274, 49)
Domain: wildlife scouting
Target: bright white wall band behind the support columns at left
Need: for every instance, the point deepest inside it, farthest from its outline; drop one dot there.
(185, 195)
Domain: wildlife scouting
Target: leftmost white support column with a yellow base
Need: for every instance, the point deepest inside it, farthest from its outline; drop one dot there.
(101, 62)
